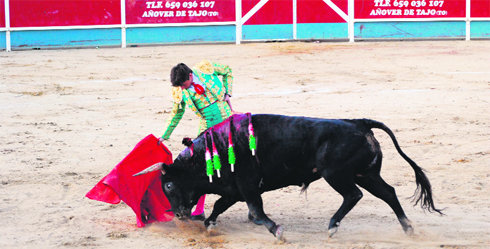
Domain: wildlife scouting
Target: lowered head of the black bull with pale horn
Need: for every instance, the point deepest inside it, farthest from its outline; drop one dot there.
(179, 186)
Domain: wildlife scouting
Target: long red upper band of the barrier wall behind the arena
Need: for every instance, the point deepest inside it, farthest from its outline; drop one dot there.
(35, 13)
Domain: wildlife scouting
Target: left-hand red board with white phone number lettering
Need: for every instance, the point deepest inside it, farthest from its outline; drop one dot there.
(179, 11)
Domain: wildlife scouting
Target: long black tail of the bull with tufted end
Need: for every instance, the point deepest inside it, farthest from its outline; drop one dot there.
(423, 193)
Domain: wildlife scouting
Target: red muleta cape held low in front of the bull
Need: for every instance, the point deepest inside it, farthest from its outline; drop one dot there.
(142, 193)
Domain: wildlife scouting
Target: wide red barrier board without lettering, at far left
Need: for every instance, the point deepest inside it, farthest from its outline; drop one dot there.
(35, 13)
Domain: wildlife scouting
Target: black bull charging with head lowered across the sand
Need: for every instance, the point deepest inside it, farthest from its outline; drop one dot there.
(290, 151)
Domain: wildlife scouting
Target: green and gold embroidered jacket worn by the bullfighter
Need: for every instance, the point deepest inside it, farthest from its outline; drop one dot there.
(215, 90)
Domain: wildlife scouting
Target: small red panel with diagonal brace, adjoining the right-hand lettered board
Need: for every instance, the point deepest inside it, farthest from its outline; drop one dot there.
(318, 11)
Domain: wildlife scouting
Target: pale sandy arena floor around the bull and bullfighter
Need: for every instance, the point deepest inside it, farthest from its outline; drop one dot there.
(69, 116)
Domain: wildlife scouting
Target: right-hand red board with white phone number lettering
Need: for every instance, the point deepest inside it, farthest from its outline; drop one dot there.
(369, 9)
